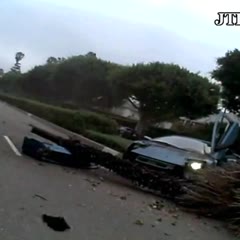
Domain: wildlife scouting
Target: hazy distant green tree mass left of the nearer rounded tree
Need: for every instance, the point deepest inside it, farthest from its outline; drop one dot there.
(80, 80)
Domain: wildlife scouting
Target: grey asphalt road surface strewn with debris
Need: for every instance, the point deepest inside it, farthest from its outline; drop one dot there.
(96, 204)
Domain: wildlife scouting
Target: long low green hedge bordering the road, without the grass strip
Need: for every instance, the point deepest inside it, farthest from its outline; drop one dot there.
(76, 121)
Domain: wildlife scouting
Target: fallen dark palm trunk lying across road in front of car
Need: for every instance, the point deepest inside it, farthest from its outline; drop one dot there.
(168, 185)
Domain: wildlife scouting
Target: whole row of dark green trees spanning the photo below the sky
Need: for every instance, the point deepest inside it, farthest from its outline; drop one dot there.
(159, 91)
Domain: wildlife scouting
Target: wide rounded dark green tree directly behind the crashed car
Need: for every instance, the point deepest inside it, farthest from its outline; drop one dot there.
(166, 91)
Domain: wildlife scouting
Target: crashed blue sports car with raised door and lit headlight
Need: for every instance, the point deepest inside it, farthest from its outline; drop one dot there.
(183, 155)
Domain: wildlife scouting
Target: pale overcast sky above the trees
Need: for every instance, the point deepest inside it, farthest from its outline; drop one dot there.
(123, 31)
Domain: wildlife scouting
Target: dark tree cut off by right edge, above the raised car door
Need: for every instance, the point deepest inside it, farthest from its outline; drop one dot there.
(228, 74)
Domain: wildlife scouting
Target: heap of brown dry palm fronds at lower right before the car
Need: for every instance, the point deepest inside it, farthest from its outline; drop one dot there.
(215, 193)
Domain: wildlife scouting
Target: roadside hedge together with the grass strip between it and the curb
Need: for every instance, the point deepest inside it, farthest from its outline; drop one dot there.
(95, 126)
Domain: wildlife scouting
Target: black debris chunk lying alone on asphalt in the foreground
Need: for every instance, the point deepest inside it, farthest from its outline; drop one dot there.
(56, 223)
